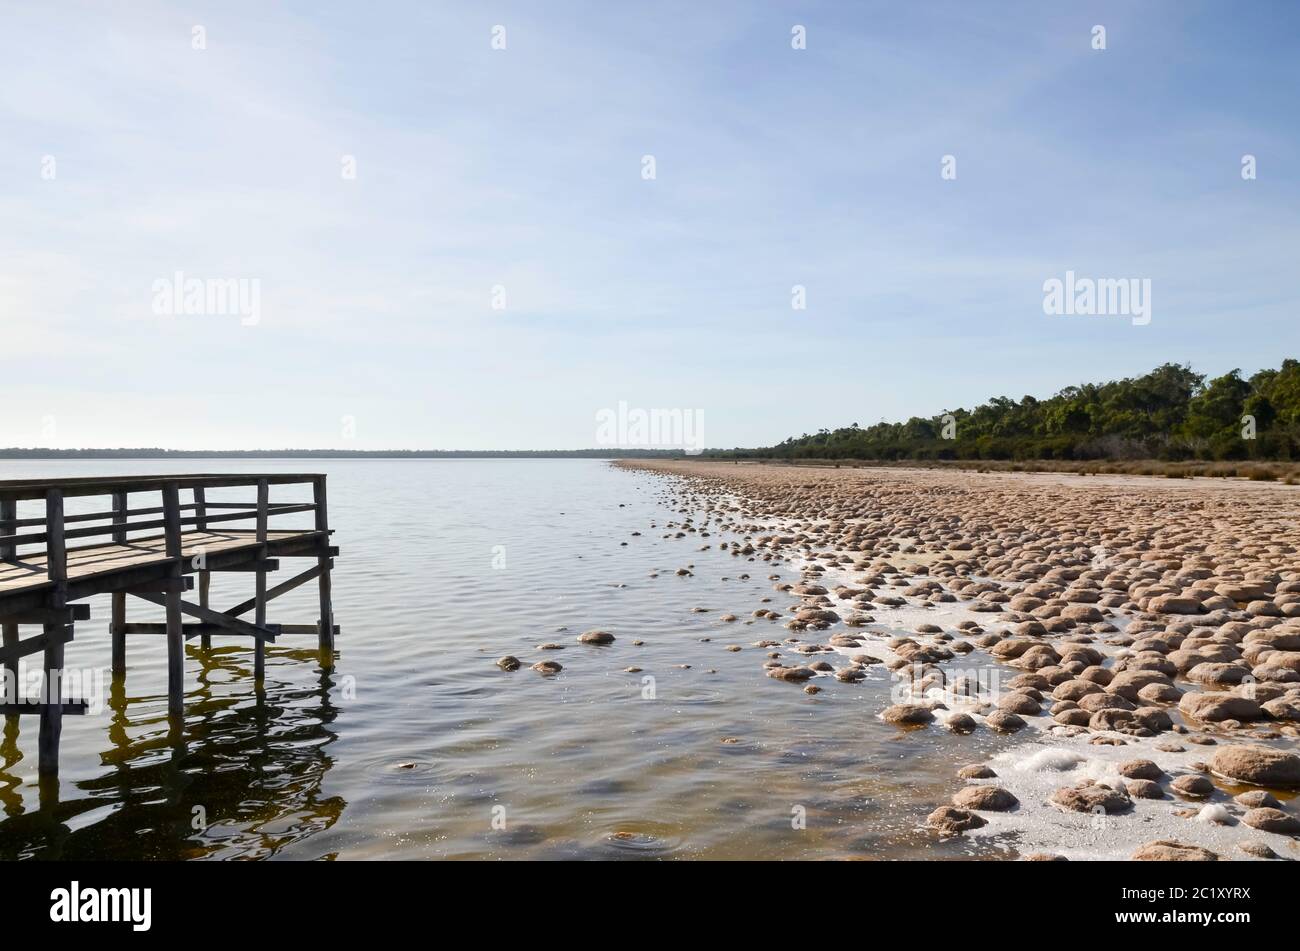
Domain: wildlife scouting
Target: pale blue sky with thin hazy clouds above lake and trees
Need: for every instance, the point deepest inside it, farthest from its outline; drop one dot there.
(522, 168)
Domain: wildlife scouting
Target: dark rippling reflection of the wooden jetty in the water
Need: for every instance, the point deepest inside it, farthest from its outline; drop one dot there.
(240, 778)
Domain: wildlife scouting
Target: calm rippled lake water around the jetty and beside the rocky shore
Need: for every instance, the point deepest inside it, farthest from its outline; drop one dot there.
(417, 746)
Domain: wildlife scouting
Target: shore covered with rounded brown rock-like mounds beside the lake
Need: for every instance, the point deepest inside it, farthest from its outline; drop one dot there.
(1143, 636)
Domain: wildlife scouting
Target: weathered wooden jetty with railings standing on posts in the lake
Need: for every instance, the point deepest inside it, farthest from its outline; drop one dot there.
(51, 561)
